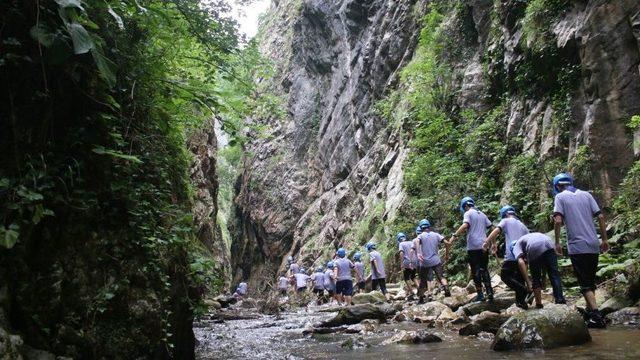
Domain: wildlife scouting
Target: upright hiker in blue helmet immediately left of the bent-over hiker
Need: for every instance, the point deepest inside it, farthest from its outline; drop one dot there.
(513, 229)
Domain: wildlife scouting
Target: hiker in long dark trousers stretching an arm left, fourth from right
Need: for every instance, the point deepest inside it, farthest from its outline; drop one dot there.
(475, 223)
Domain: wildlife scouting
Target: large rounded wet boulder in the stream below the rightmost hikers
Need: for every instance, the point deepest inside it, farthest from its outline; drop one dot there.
(553, 326)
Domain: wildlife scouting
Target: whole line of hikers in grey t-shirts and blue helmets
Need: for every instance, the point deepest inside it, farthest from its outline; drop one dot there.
(527, 256)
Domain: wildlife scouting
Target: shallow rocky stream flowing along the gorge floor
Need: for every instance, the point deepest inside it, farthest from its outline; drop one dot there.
(280, 337)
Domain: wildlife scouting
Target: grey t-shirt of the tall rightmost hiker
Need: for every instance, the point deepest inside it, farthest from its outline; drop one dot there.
(578, 209)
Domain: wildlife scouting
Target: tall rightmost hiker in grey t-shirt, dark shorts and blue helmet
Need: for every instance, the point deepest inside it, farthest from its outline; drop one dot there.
(575, 209)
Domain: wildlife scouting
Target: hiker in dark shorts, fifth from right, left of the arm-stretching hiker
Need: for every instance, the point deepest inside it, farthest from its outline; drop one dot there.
(426, 247)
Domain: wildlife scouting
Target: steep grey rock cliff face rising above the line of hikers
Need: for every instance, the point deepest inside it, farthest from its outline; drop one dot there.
(565, 78)
